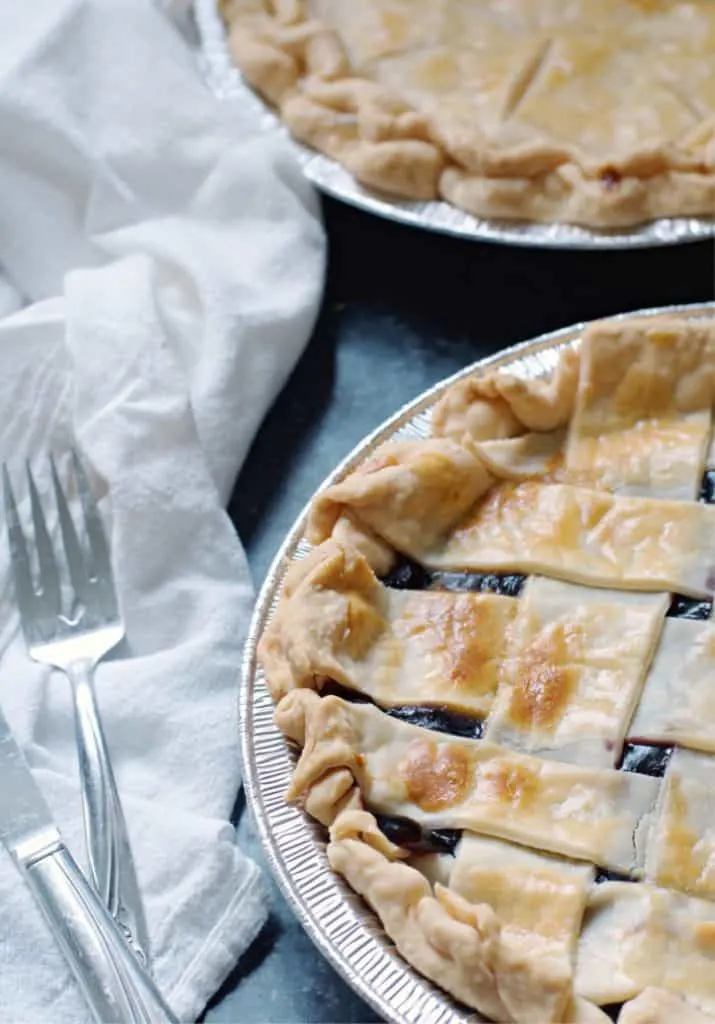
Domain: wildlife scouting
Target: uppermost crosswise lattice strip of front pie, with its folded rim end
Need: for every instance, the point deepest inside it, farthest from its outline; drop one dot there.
(574, 534)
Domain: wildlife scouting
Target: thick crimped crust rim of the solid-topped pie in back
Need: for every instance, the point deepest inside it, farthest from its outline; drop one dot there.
(517, 173)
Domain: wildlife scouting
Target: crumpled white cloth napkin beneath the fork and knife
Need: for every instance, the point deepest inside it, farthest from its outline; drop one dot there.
(180, 264)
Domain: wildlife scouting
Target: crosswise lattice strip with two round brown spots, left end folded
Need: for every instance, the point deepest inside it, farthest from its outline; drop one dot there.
(599, 816)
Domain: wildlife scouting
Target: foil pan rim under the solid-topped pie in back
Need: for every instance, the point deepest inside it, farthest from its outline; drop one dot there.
(330, 178)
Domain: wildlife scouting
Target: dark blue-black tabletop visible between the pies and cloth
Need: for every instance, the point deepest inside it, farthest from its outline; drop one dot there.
(403, 310)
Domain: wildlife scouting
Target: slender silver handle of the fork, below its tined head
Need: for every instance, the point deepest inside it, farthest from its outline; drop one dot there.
(109, 854)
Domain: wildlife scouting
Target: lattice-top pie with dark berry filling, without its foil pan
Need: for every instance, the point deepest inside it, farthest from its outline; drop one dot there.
(499, 663)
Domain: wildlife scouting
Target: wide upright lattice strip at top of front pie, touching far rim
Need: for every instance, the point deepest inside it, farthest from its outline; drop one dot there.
(643, 419)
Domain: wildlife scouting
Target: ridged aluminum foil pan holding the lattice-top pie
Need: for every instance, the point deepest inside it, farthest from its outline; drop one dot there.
(339, 922)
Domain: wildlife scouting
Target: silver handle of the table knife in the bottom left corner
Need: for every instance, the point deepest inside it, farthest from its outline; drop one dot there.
(114, 985)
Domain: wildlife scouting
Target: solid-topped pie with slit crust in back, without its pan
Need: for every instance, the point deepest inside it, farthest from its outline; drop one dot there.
(592, 112)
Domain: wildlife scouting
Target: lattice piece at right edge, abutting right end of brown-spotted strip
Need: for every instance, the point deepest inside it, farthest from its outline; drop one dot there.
(682, 850)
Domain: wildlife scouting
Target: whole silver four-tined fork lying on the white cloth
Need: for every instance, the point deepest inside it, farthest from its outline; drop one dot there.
(74, 639)
